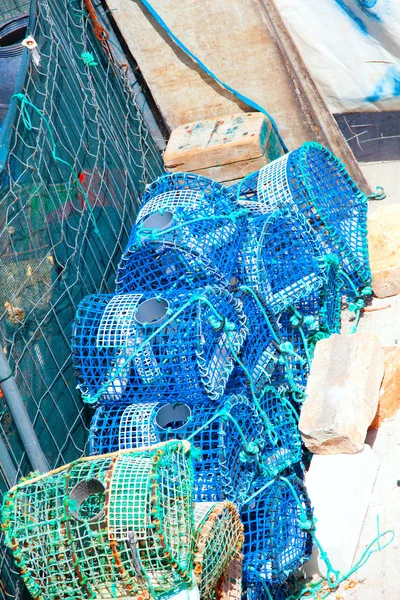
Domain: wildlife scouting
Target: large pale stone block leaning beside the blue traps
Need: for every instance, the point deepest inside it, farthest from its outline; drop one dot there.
(342, 393)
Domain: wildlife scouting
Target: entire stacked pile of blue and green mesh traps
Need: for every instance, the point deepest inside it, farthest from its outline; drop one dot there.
(196, 367)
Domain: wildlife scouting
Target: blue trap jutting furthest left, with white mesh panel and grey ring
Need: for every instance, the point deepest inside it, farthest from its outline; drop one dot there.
(171, 346)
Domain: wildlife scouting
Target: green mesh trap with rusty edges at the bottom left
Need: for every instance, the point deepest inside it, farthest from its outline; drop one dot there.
(107, 527)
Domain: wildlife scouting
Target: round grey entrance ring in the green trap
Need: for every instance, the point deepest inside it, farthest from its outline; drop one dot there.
(88, 496)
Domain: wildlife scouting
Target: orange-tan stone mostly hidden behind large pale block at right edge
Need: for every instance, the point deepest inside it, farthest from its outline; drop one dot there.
(389, 397)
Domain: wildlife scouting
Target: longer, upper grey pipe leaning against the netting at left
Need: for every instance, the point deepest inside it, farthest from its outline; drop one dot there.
(21, 418)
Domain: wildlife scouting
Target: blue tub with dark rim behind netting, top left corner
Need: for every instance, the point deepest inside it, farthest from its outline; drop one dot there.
(12, 33)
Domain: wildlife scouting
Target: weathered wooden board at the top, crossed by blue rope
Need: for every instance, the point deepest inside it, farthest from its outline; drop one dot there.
(232, 39)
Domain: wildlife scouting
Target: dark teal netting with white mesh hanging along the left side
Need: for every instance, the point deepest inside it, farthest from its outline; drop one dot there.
(75, 156)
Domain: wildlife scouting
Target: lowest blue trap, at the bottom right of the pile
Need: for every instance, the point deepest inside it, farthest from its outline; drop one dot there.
(276, 534)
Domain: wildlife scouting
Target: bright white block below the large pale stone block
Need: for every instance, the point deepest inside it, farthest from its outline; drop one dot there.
(340, 487)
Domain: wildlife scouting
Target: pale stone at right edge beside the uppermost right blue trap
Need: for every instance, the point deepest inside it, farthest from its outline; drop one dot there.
(384, 250)
